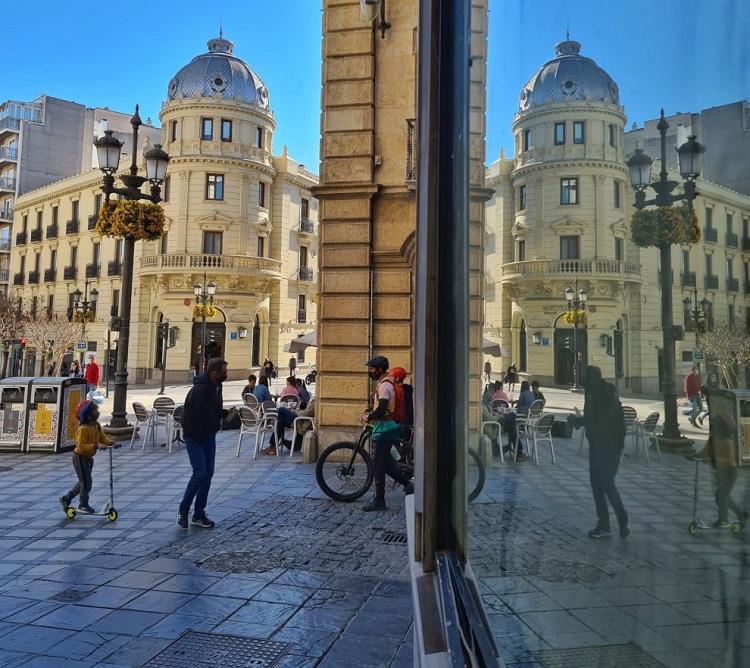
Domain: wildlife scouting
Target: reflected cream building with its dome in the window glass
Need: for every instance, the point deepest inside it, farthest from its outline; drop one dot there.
(560, 217)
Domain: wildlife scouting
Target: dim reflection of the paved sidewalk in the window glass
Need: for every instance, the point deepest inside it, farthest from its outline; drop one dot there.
(554, 597)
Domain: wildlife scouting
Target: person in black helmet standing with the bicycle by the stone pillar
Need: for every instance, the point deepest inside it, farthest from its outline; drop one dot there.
(385, 432)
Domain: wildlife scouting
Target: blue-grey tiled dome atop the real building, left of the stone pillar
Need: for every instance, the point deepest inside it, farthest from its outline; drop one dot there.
(218, 71)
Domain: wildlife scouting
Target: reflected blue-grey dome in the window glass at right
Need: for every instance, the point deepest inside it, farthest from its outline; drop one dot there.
(568, 76)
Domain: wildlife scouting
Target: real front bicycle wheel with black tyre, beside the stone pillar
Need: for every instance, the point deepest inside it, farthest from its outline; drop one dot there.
(344, 471)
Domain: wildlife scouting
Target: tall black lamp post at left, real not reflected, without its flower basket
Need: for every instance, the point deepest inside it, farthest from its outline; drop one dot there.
(108, 149)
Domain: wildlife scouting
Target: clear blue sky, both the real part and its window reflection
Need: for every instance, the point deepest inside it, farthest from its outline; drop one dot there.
(683, 55)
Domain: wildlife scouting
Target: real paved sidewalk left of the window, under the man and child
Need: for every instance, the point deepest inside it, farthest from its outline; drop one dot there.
(285, 564)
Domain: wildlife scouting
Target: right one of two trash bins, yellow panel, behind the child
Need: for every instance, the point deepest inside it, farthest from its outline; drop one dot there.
(52, 422)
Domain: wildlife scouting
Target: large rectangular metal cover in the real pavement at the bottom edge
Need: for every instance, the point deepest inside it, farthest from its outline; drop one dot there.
(194, 648)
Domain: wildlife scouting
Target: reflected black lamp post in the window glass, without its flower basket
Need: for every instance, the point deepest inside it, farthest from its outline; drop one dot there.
(690, 159)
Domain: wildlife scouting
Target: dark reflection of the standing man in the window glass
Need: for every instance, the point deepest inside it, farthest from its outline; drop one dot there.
(604, 423)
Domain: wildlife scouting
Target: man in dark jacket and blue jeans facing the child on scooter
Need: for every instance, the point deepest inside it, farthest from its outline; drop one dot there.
(204, 410)
